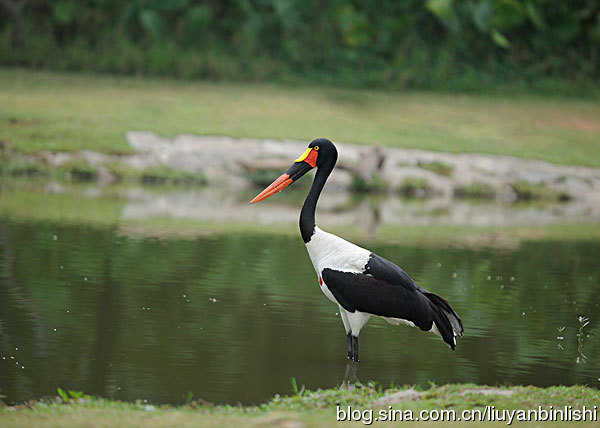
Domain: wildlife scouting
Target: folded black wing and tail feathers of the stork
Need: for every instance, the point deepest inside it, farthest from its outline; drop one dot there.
(386, 290)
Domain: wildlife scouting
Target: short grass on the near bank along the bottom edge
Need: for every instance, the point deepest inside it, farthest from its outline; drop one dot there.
(305, 409)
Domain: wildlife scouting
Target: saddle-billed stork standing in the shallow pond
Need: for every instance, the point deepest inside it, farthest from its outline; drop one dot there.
(360, 282)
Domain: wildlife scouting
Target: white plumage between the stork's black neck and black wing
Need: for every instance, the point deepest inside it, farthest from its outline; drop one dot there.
(330, 251)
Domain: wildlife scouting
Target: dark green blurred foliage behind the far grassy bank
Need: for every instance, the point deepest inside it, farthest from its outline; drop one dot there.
(547, 46)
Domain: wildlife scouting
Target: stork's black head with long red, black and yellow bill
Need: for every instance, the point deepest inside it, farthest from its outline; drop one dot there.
(319, 152)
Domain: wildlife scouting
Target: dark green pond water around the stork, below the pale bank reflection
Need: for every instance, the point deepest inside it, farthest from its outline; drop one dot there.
(232, 317)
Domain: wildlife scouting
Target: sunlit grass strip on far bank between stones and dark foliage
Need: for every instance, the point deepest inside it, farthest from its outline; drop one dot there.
(59, 111)
